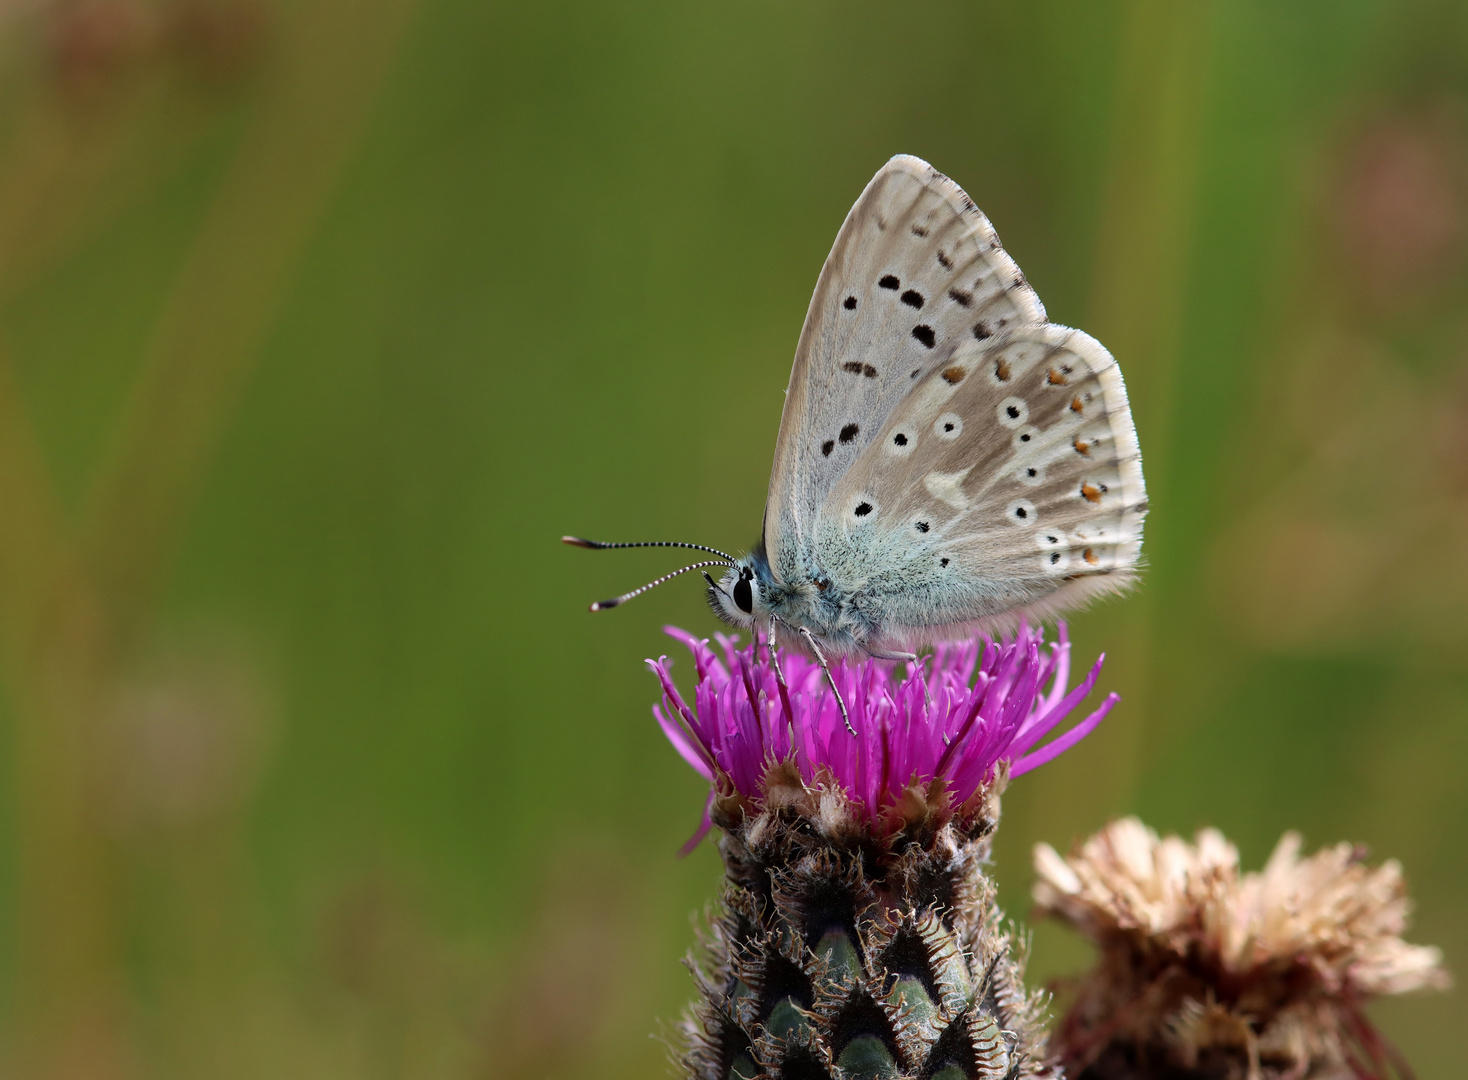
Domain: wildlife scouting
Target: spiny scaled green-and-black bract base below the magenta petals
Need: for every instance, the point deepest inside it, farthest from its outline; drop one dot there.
(840, 953)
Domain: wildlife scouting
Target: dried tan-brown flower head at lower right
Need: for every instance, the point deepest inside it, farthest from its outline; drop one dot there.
(1225, 974)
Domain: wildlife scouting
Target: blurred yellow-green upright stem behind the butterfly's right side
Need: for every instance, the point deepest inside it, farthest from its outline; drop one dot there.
(1135, 309)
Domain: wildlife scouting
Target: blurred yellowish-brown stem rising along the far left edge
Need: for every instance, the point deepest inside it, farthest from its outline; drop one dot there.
(57, 661)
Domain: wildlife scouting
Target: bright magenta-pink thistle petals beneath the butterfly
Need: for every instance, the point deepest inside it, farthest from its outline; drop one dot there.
(951, 721)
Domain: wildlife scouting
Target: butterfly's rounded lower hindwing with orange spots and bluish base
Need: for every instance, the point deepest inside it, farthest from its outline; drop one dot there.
(1009, 481)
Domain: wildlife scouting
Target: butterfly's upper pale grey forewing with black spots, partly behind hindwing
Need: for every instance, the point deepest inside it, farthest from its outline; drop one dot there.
(915, 272)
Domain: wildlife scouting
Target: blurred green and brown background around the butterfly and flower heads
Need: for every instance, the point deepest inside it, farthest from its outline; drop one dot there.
(322, 321)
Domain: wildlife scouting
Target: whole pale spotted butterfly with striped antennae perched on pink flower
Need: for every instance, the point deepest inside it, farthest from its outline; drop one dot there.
(949, 461)
